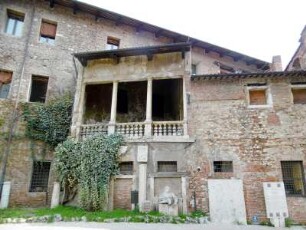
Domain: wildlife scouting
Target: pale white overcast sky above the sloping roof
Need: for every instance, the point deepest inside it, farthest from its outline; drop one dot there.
(257, 28)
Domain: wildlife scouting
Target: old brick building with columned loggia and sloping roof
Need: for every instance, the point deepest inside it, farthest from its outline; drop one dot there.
(190, 111)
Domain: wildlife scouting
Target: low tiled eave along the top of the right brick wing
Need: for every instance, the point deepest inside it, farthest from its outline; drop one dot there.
(300, 73)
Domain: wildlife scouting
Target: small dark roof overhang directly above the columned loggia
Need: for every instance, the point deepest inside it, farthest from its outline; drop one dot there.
(149, 51)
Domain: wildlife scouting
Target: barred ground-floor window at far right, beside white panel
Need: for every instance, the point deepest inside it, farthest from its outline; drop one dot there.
(293, 177)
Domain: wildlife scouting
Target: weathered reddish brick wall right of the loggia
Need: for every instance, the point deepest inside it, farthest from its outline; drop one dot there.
(256, 140)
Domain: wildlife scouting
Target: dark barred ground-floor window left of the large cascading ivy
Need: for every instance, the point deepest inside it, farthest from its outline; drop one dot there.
(40, 176)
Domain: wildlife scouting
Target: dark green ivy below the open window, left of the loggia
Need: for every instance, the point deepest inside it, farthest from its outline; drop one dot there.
(49, 122)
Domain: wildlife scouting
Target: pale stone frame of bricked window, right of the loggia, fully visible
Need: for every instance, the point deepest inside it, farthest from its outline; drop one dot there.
(266, 88)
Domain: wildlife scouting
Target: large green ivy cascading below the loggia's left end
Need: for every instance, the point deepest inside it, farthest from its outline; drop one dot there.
(88, 165)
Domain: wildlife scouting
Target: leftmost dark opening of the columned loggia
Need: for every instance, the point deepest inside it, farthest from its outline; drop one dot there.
(98, 99)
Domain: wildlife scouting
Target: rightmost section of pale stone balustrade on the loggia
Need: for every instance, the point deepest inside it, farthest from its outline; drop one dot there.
(167, 128)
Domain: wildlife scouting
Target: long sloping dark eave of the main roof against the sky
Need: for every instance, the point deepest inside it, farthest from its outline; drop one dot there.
(158, 31)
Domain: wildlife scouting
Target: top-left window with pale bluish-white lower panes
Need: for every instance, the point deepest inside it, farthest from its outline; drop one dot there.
(14, 23)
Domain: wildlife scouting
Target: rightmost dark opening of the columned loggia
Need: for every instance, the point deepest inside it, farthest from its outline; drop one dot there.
(167, 104)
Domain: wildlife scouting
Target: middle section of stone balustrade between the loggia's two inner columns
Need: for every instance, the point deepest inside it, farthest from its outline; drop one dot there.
(131, 130)
